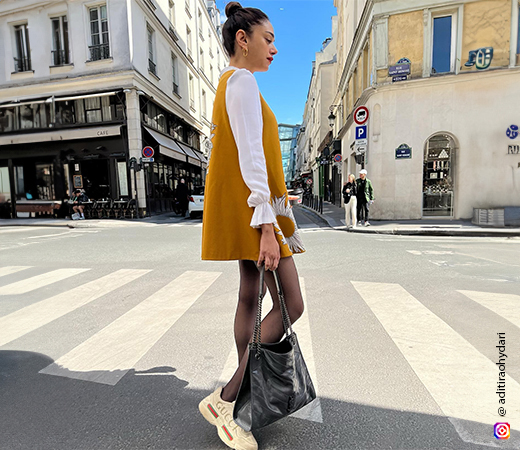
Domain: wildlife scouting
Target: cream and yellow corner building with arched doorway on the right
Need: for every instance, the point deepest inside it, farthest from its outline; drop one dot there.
(440, 81)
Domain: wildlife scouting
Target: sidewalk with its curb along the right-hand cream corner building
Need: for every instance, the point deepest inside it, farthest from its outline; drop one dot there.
(335, 217)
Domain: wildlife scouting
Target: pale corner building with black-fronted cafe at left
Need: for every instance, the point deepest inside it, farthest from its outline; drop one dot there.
(85, 87)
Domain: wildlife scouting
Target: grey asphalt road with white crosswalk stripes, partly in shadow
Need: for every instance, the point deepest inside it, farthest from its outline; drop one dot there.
(109, 338)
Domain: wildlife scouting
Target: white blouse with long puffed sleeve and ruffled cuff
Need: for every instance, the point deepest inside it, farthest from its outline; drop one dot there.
(245, 117)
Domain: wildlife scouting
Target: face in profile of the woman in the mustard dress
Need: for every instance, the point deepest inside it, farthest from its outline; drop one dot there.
(260, 45)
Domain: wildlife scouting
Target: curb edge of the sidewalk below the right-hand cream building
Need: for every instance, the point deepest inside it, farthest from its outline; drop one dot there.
(479, 232)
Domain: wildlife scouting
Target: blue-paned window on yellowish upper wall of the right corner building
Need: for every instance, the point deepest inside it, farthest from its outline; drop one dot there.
(443, 45)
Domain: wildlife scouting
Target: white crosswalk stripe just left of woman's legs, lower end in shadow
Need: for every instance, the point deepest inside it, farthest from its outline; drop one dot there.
(108, 355)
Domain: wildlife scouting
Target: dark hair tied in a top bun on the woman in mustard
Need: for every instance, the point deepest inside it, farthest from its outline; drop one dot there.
(239, 18)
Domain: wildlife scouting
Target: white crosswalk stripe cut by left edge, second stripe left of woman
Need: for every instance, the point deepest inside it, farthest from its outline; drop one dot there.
(34, 316)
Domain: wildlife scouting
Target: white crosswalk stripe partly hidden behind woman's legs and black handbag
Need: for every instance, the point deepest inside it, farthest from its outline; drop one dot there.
(302, 328)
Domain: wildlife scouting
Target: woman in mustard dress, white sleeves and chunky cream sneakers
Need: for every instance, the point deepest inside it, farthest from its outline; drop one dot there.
(247, 216)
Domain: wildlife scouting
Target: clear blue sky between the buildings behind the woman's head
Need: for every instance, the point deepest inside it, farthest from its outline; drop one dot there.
(300, 27)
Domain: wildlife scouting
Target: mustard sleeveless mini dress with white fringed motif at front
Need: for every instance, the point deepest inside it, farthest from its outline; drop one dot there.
(226, 230)
